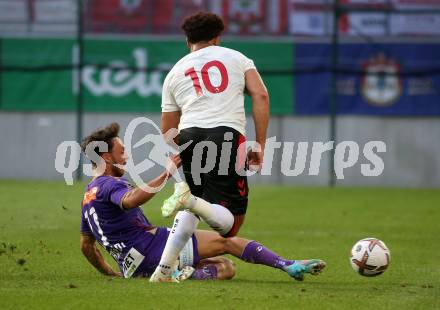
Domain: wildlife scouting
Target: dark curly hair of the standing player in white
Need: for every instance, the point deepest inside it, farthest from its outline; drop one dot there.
(202, 27)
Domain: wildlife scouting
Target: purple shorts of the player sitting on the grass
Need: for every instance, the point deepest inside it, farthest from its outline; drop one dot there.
(153, 252)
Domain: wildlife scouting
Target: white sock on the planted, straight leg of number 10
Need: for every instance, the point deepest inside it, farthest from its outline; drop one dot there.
(185, 223)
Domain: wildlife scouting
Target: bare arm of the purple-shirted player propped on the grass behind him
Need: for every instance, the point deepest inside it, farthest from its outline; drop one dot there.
(94, 256)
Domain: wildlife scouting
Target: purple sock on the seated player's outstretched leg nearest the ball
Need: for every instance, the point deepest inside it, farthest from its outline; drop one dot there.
(255, 253)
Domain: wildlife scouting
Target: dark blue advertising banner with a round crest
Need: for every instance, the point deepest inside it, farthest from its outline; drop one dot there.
(373, 79)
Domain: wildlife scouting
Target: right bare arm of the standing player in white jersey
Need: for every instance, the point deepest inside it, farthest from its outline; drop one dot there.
(260, 112)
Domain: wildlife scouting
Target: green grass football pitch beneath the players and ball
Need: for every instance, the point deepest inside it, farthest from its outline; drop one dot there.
(41, 266)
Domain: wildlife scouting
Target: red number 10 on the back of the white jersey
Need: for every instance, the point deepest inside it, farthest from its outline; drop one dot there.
(191, 72)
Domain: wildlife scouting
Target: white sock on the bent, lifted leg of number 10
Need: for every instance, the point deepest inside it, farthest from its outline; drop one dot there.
(216, 216)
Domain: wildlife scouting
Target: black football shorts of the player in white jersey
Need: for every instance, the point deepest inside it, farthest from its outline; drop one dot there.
(217, 148)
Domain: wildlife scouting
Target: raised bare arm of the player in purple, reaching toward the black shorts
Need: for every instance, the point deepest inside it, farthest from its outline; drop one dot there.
(141, 195)
